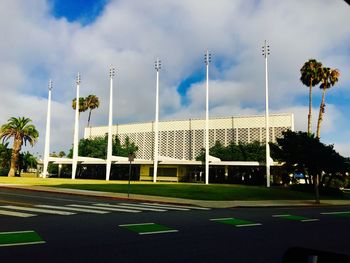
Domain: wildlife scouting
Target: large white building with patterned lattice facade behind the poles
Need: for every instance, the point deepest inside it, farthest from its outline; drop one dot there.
(181, 141)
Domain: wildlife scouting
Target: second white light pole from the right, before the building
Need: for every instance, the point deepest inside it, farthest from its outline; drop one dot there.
(207, 60)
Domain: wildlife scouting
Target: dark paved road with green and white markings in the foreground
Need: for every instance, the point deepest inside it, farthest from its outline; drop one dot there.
(104, 233)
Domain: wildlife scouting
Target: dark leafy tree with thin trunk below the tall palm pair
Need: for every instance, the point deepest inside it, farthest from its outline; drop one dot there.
(302, 151)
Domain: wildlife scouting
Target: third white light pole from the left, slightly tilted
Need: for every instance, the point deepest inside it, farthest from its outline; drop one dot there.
(110, 119)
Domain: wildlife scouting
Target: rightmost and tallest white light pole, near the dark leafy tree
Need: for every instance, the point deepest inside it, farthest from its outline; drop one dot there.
(265, 53)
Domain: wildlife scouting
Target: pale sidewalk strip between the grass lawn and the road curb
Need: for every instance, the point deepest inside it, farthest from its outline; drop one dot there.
(171, 200)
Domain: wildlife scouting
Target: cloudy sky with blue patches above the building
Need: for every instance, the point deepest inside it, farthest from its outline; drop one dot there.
(56, 39)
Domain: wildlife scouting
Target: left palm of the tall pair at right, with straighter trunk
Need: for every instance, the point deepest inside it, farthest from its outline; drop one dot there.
(310, 76)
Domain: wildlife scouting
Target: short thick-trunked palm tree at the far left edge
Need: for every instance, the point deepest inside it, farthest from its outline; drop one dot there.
(22, 132)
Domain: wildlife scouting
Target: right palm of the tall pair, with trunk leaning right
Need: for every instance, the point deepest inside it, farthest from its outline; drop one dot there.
(328, 78)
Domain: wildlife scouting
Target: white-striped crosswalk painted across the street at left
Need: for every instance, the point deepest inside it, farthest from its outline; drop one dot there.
(95, 208)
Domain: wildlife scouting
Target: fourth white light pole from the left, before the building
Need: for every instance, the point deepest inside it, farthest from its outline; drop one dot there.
(156, 128)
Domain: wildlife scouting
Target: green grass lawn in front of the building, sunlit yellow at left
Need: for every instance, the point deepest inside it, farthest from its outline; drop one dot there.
(178, 190)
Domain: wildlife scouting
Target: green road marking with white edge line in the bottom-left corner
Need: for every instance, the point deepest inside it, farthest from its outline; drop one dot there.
(20, 238)
